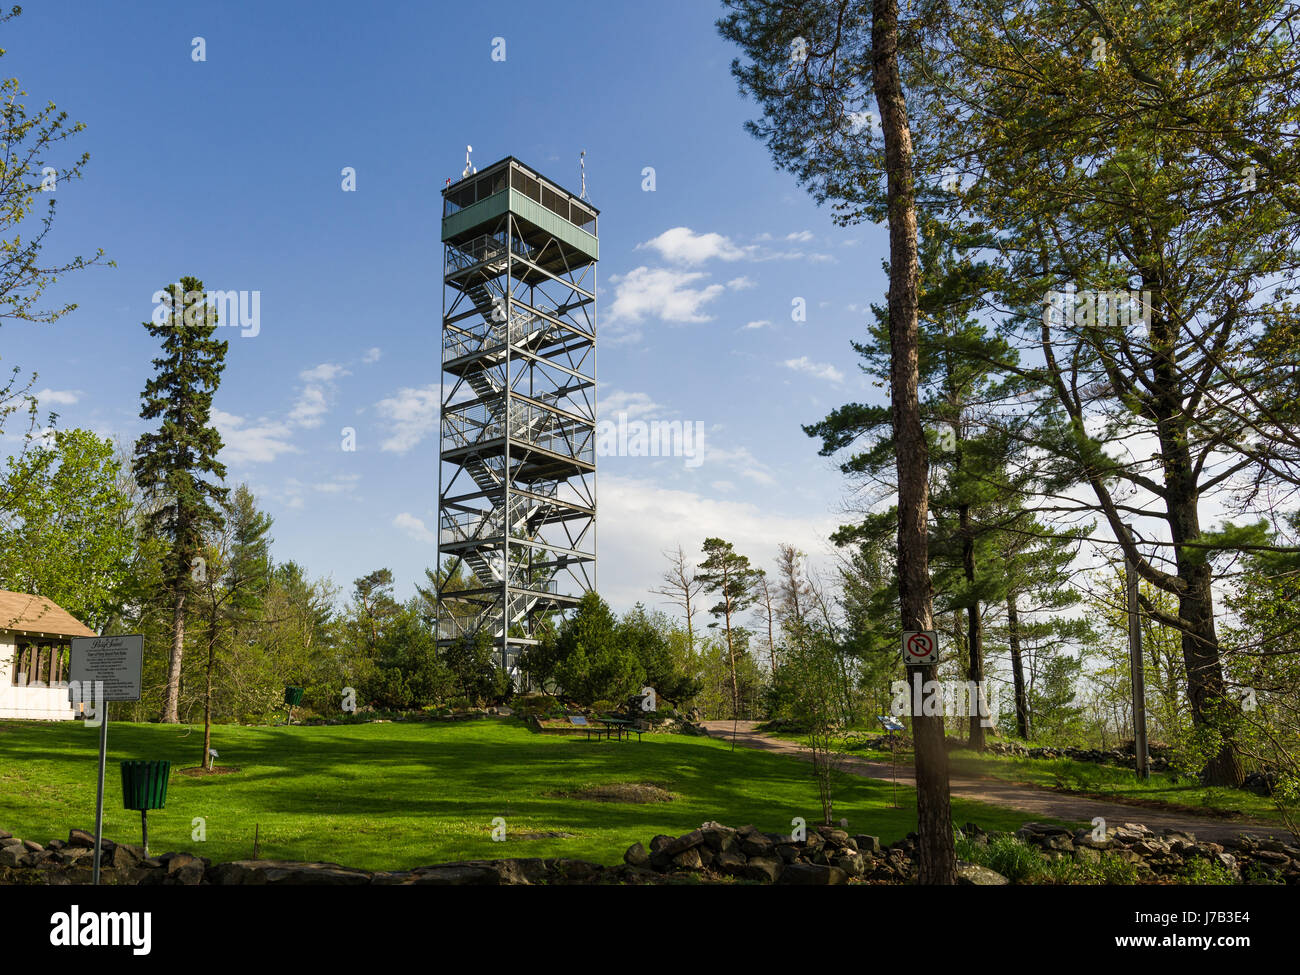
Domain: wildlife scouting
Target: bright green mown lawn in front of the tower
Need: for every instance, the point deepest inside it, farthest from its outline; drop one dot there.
(404, 795)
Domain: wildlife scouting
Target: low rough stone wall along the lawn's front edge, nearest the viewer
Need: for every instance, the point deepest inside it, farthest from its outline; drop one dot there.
(713, 853)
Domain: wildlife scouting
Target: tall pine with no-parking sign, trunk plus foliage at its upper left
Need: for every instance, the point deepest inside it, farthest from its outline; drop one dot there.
(816, 67)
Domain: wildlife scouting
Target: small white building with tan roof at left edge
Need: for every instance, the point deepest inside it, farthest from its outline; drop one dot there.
(36, 638)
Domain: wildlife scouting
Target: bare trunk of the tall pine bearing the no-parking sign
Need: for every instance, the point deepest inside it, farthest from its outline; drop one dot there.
(935, 855)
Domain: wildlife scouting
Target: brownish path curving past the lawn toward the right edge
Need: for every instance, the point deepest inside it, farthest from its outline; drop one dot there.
(1037, 803)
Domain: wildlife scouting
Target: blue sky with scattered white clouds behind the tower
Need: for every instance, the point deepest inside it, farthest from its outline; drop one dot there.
(229, 170)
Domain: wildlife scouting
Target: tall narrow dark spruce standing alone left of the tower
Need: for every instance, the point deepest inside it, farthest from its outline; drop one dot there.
(171, 463)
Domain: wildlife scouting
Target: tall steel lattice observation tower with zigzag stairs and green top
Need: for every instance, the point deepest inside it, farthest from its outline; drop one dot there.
(517, 480)
